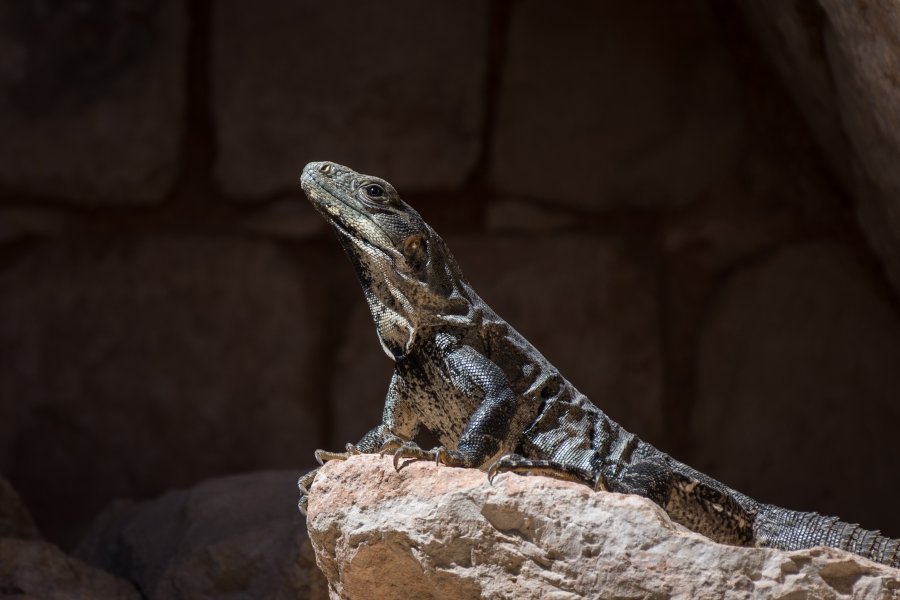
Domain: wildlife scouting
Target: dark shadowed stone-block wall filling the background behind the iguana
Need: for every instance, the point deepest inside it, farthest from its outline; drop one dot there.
(678, 203)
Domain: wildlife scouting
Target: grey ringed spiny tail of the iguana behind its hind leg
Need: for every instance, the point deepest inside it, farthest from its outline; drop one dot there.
(776, 527)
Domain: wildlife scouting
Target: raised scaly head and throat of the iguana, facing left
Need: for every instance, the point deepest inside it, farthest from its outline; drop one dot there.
(407, 273)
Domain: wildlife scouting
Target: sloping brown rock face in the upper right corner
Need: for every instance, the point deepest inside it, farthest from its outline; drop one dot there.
(840, 61)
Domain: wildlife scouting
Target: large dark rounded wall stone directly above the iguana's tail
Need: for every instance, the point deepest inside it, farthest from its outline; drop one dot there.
(799, 369)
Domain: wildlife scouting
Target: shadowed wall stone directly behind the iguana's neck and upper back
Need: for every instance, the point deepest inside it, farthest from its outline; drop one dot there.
(606, 340)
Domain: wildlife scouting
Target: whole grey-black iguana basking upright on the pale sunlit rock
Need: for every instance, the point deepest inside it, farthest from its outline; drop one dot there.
(497, 404)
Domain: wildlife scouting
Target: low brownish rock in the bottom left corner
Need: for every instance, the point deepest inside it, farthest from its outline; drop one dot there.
(33, 569)
